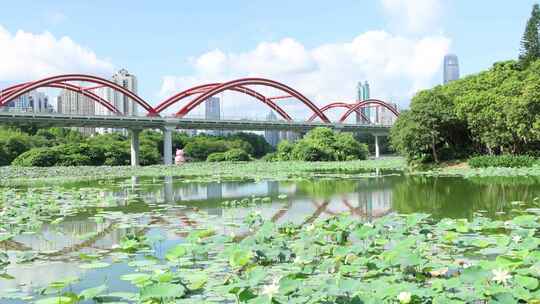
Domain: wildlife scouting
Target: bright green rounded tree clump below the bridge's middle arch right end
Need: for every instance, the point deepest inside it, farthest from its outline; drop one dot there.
(322, 144)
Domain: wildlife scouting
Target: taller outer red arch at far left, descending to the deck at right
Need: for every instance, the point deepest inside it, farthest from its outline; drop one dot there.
(22, 89)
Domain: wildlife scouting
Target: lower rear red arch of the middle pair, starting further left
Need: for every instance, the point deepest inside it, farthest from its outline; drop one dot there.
(207, 87)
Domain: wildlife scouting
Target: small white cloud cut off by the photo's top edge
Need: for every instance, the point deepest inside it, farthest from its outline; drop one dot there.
(417, 16)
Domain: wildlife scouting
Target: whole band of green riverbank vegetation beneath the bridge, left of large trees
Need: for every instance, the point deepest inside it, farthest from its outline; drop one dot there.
(68, 147)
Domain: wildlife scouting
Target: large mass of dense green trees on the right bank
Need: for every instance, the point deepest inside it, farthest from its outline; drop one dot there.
(493, 112)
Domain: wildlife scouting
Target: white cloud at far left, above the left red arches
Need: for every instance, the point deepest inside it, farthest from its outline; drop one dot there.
(27, 56)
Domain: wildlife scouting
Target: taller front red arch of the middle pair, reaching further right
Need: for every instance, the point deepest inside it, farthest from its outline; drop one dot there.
(251, 81)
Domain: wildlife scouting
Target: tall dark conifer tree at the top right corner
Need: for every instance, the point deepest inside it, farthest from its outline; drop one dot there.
(530, 43)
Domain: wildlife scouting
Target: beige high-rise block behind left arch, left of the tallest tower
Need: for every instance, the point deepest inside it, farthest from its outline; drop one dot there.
(70, 102)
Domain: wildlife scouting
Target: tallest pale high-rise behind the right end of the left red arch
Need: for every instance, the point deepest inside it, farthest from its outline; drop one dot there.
(125, 105)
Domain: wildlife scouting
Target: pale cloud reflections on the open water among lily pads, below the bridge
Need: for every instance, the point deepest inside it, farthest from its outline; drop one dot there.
(174, 222)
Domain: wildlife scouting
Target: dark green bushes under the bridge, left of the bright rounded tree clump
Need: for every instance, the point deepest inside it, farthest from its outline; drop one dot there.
(68, 147)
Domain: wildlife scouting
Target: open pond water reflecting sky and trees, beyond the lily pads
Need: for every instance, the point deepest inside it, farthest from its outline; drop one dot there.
(83, 245)
